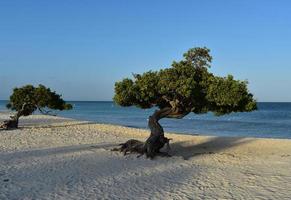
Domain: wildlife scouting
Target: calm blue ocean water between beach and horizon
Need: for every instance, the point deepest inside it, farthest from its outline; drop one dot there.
(271, 120)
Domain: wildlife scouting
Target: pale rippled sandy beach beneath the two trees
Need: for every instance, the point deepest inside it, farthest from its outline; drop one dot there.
(65, 159)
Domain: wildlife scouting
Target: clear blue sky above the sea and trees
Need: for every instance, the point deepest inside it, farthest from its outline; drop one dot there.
(81, 48)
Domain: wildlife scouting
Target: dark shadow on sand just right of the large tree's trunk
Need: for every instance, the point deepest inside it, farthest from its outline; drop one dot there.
(188, 150)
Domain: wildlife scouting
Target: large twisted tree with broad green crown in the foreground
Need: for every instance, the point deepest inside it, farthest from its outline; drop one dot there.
(187, 86)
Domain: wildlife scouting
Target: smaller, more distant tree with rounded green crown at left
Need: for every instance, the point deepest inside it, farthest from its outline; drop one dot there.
(27, 99)
